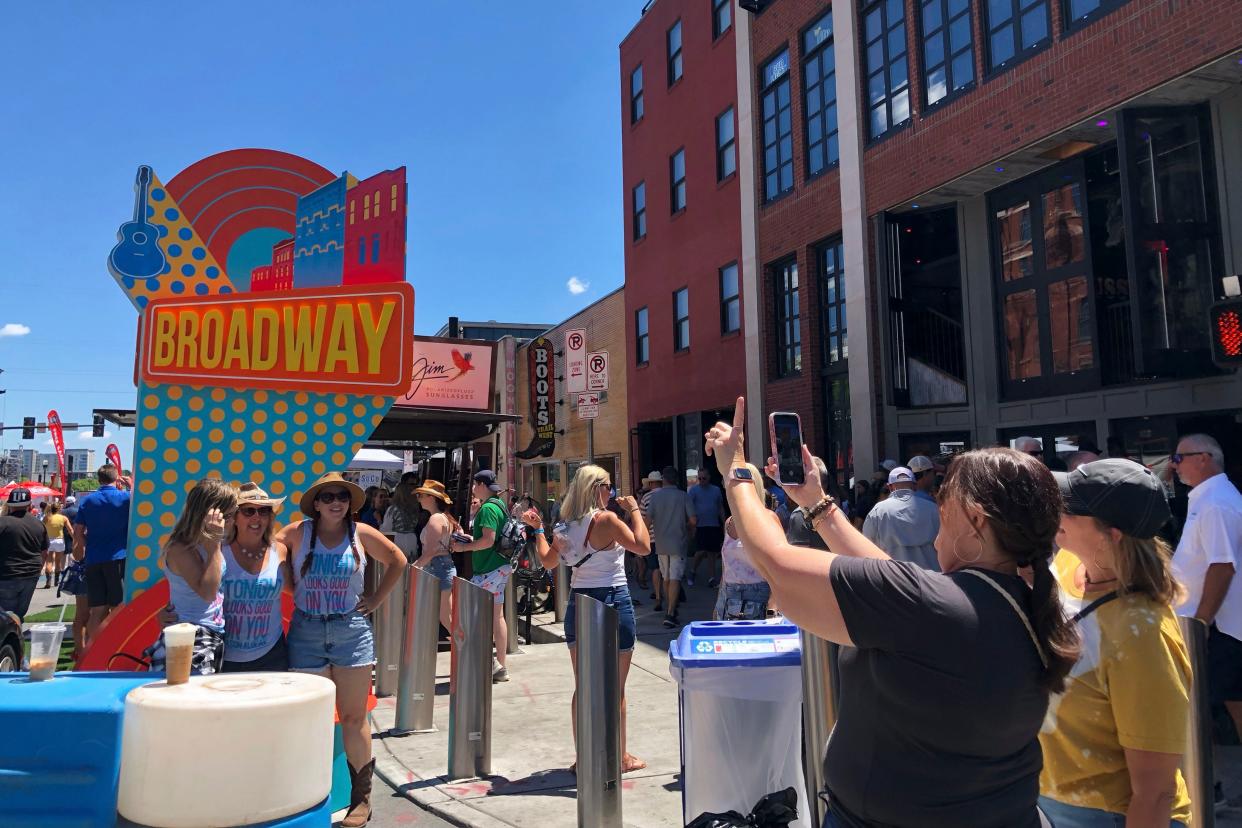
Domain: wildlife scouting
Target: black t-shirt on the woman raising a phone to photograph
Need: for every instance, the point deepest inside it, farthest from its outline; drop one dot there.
(941, 704)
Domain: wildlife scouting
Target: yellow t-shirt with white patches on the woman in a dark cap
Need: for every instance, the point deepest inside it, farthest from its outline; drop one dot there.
(1130, 690)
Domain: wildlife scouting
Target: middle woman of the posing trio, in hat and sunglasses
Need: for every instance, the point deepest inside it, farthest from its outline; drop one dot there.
(256, 577)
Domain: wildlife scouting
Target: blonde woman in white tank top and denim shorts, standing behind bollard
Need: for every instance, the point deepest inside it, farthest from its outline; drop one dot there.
(593, 543)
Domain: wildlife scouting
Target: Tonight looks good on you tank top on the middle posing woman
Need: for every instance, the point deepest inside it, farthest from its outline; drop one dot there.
(253, 606)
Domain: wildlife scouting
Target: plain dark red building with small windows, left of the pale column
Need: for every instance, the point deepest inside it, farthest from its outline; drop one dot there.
(684, 277)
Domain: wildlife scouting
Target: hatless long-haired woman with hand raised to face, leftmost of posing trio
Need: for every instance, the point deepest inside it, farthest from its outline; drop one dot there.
(194, 565)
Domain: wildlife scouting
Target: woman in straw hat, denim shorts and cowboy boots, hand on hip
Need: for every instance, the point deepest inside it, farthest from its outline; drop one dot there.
(330, 634)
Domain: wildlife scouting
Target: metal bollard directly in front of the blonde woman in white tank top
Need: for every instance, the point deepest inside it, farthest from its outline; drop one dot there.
(599, 716)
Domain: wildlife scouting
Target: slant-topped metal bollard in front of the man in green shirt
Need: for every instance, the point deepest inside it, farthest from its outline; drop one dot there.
(470, 685)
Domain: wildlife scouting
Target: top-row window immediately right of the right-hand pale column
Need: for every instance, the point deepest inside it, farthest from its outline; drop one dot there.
(889, 76)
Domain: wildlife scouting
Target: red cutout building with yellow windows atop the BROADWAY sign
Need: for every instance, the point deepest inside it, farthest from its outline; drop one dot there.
(376, 213)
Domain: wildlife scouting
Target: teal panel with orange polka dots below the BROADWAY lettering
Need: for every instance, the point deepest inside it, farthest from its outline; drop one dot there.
(176, 446)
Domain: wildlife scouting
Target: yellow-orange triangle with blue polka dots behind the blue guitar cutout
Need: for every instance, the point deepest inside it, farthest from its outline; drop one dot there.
(191, 270)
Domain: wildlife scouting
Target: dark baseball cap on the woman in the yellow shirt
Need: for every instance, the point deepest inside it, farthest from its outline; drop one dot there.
(1122, 493)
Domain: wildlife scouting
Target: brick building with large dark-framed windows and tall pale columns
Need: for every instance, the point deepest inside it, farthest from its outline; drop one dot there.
(1015, 210)
